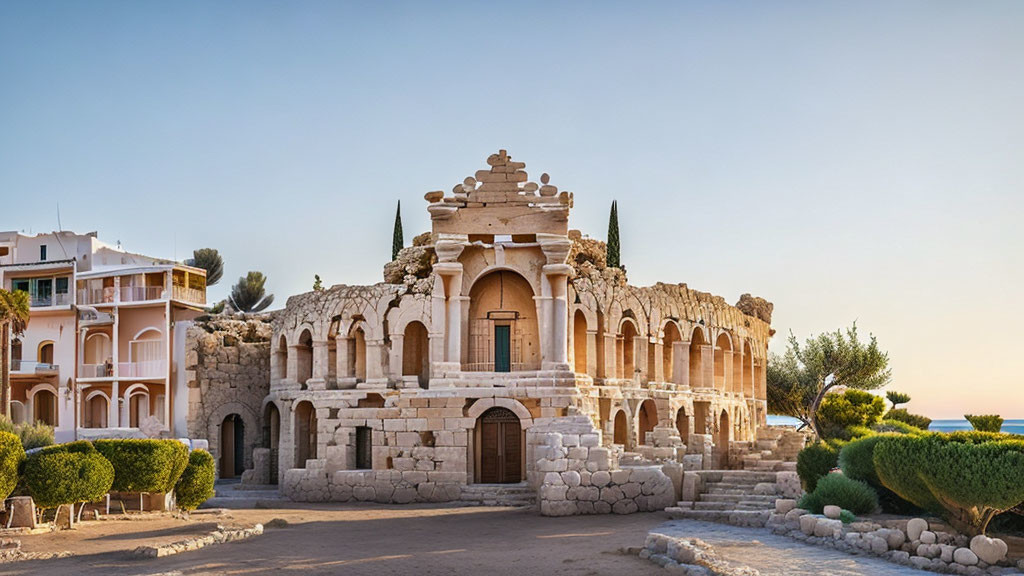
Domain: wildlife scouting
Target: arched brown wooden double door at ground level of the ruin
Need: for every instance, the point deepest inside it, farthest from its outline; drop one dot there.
(500, 440)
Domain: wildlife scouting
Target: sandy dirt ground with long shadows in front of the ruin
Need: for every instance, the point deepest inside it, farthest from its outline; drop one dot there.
(367, 540)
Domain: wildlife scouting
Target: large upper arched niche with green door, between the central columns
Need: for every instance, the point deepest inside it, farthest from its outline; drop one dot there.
(503, 334)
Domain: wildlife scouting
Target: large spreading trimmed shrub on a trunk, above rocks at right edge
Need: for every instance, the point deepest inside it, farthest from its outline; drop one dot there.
(967, 477)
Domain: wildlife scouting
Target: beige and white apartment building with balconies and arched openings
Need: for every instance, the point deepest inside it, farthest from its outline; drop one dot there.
(99, 356)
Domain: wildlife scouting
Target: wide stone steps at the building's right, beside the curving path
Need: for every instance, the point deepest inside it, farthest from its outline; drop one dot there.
(744, 498)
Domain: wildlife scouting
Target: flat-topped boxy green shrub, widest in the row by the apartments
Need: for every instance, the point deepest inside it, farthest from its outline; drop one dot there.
(145, 466)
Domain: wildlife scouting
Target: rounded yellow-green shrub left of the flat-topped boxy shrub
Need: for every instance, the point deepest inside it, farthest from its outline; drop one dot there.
(55, 478)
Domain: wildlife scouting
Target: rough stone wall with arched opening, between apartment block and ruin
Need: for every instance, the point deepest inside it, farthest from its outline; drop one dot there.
(228, 374)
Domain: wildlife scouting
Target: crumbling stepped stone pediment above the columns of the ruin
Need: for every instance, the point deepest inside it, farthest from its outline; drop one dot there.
(501, 201)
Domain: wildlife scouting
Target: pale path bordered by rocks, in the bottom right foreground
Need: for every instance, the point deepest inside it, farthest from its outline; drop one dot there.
(778, 556)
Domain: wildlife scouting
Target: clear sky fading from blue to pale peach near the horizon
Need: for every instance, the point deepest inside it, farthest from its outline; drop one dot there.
(846, 160)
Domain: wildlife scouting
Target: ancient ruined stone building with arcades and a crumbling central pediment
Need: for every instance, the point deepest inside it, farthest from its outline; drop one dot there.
(502, 350)
